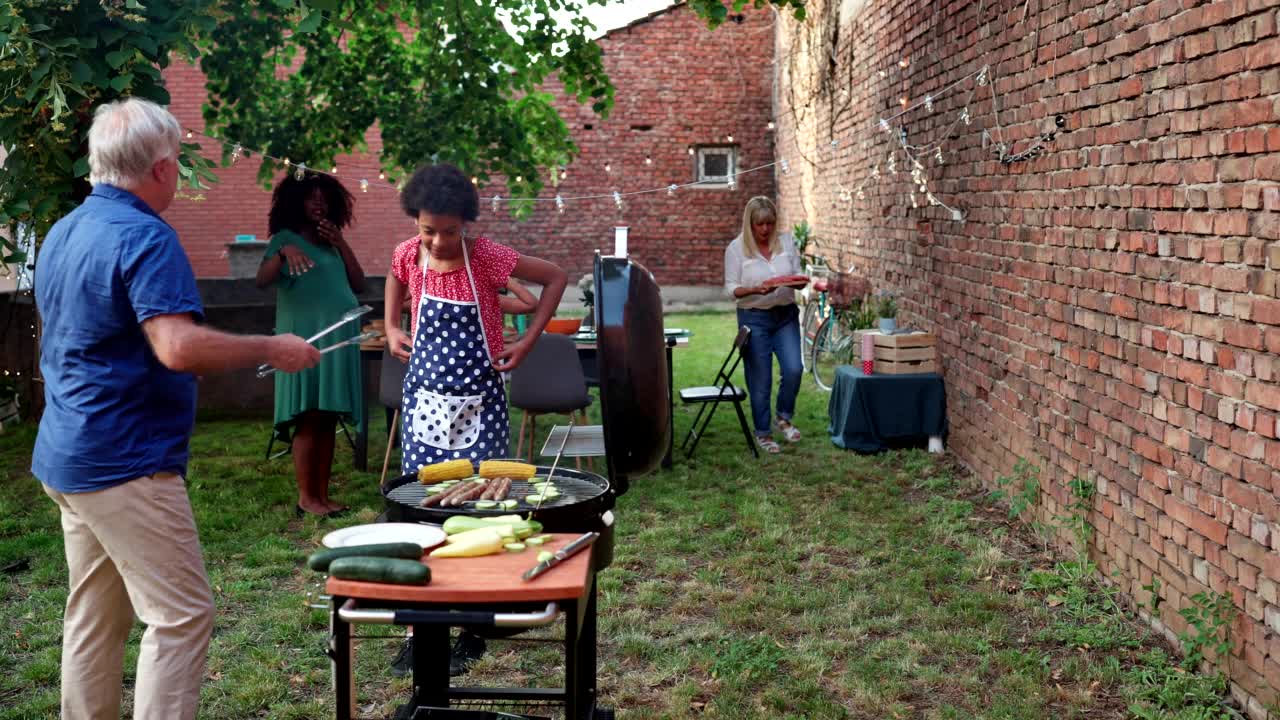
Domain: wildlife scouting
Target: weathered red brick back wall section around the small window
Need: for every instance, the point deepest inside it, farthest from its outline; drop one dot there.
(692, 86)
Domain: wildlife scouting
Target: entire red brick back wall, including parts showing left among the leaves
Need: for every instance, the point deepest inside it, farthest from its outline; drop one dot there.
(688, 84)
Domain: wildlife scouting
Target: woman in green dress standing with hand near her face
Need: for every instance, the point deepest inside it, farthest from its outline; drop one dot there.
(317, 277)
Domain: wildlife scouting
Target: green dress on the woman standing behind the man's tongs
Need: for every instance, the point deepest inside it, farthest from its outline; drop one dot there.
(305, 306)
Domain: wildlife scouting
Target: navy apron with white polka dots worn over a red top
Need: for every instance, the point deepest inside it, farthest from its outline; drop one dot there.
(454, 402)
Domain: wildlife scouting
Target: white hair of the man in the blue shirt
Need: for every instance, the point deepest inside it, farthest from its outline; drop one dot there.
(127, 138)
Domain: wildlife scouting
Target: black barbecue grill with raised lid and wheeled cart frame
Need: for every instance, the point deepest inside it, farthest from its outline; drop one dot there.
(636, 408)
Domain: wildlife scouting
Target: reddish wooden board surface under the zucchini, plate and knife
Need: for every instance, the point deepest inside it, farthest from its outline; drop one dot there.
(487, 580)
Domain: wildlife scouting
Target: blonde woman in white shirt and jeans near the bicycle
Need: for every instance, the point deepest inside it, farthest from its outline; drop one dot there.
(757, 265)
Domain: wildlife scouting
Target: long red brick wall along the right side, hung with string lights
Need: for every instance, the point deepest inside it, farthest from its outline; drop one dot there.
(1108, 311)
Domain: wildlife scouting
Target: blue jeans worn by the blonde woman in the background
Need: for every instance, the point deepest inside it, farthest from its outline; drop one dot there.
(774, 332)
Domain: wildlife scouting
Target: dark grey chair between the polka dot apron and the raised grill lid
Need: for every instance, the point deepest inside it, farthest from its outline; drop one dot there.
(550, 381)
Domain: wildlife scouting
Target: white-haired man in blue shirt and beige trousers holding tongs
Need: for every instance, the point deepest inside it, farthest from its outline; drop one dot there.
(120, 356)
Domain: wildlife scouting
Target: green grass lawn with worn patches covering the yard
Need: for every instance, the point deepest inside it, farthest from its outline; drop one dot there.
(819, 584)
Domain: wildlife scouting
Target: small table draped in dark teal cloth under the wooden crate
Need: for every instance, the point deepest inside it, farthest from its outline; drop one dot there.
(872, 413)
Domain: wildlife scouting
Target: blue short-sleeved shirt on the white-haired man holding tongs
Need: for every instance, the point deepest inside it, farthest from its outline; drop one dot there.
(112, 411)
